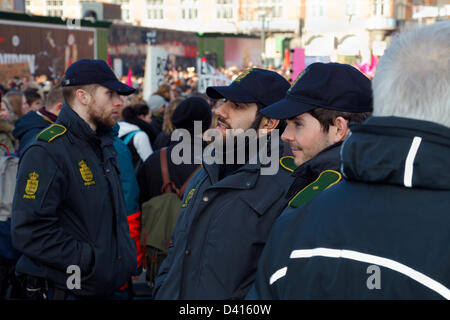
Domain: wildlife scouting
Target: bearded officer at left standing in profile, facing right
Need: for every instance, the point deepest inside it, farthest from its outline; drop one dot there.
(69, 217)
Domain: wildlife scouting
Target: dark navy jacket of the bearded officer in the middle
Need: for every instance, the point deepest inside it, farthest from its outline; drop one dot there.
(221, 231)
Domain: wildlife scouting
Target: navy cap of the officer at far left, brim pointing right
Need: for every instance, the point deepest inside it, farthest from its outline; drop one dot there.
(88, 71)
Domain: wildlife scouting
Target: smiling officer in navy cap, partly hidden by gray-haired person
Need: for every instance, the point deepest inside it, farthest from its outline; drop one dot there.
(318, 108)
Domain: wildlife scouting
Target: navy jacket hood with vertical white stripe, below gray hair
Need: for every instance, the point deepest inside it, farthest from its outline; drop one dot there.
(398, 151)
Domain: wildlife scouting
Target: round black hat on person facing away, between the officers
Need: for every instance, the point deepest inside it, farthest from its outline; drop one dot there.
(190, 110)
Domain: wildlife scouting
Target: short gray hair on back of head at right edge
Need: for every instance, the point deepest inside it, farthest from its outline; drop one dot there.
(413, 77)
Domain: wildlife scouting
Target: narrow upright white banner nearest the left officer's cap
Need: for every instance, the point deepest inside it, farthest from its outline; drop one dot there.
(155, 69)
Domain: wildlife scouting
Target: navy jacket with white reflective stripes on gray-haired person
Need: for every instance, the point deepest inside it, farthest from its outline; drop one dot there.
(381, 233)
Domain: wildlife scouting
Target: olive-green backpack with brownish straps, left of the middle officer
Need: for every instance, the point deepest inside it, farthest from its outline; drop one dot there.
(159, 215)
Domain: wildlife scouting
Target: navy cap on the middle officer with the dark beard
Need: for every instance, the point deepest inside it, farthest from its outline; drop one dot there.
(253, 85)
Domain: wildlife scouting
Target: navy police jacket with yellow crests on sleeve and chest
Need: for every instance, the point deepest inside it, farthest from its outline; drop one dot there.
(68, 209)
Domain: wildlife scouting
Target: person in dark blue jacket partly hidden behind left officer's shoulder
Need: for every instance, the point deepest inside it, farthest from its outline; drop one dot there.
(29, 125)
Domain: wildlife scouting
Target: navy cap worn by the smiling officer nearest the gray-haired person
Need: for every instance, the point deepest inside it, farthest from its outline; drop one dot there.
(334, 86)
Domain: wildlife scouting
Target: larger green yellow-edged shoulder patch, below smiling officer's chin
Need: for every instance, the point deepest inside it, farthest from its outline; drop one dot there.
(325, 180)
